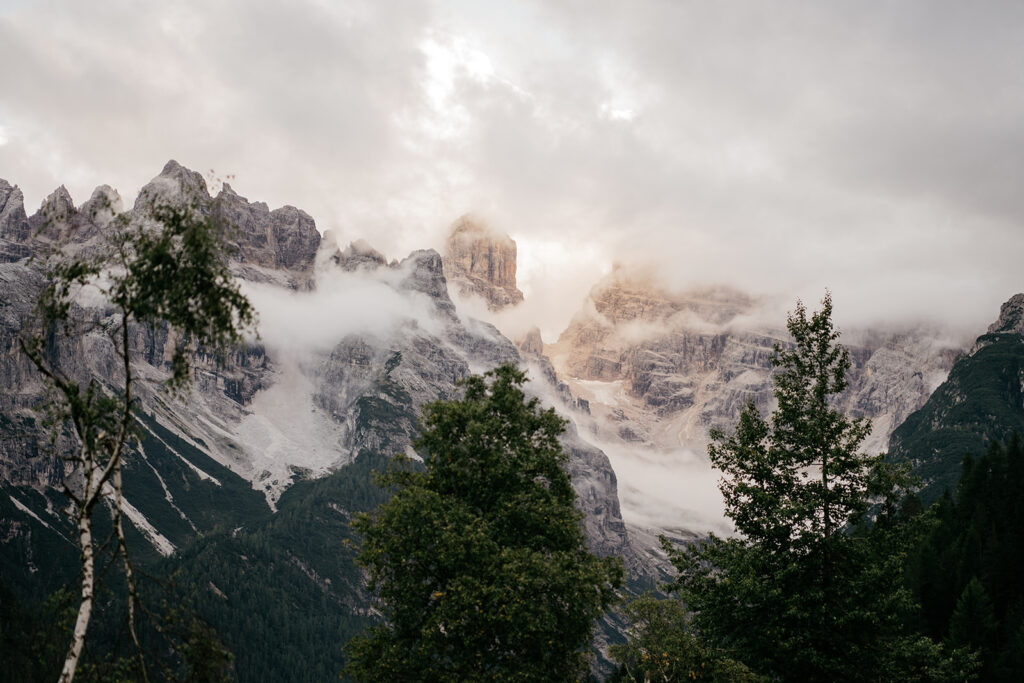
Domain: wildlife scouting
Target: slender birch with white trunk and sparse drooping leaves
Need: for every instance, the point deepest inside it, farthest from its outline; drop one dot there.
(167, 272)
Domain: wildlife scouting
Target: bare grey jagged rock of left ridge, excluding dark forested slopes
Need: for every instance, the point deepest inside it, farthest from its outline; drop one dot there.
(280, 409)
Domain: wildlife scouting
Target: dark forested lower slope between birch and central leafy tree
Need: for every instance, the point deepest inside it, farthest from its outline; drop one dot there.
(285, 592)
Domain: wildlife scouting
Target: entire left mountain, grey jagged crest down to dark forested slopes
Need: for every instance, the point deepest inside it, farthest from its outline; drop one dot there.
(246, 485)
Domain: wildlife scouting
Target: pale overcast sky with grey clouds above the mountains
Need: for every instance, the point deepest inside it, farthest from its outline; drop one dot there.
(876, 149)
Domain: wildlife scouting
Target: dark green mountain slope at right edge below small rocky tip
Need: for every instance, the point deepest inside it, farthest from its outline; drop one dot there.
(983, 401)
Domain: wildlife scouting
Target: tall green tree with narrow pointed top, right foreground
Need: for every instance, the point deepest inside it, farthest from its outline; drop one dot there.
(801, 594)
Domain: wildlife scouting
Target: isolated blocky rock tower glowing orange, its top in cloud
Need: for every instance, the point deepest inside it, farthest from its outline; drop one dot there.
(479, 262)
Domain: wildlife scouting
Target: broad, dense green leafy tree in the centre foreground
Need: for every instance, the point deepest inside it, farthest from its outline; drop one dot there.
(479, 560)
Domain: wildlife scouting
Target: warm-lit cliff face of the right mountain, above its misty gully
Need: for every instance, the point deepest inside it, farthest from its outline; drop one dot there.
(662, 369)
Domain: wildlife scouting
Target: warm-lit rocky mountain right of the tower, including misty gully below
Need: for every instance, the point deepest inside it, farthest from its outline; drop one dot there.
(658, 369)
